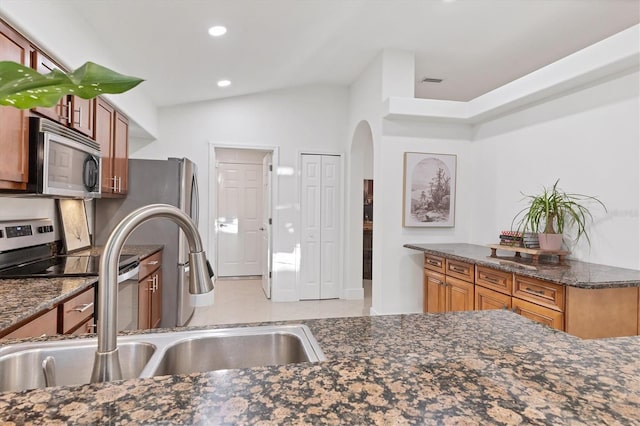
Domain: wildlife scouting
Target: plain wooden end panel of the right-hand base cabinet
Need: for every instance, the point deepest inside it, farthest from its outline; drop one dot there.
(609, 312)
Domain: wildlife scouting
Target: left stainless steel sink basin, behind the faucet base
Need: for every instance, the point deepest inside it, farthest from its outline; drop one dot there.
(21, 369)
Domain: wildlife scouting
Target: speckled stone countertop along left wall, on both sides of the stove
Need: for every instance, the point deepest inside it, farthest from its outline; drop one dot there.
(26, 297)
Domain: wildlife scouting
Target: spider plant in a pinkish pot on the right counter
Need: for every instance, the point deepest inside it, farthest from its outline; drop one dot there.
(554, 212)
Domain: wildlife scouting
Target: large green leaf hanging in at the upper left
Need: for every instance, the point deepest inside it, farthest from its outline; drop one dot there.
(22, 87)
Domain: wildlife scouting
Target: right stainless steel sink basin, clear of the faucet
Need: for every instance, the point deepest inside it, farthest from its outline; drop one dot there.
(229, 349)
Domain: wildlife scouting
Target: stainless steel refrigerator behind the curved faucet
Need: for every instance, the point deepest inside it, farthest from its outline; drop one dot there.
(172, 181)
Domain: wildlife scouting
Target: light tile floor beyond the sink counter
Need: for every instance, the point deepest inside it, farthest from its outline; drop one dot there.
(243, 301)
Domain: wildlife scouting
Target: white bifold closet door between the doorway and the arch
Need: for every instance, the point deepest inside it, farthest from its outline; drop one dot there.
(320, 227)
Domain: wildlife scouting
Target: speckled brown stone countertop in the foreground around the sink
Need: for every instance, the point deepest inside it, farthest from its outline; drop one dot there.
(476, 367)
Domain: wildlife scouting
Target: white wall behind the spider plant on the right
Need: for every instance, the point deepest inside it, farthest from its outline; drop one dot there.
(589, 139)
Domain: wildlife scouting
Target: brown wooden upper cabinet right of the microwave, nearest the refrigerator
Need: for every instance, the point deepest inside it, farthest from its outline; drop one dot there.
(111, 131)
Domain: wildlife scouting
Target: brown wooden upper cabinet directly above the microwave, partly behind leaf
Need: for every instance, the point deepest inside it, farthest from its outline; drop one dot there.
(71, 111)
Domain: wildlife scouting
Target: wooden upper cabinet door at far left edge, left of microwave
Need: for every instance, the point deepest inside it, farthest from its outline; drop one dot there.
(14, 126)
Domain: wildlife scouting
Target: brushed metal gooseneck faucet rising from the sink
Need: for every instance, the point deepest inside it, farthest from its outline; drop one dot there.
(106, 364)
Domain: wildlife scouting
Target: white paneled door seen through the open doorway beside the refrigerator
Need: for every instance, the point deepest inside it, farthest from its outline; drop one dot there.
(239, 219)
